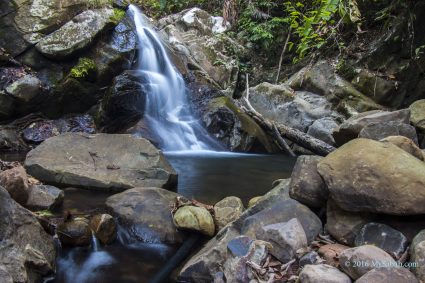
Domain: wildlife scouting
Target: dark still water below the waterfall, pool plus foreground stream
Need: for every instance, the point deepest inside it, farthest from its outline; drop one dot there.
(204, 176)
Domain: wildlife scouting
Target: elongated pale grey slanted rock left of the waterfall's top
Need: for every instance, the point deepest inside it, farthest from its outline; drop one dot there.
(76, 34)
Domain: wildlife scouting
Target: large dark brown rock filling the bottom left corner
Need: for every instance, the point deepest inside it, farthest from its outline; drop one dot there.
(27, 252)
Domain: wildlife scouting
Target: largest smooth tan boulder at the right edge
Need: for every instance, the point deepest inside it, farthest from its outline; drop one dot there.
(370, 176)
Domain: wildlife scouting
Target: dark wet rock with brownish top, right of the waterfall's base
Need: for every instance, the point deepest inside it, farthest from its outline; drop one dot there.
(226, 122)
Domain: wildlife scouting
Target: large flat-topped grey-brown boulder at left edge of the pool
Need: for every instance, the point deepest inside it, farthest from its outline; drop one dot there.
(101, 161)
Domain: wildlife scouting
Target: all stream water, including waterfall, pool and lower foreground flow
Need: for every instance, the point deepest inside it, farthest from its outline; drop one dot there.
(204, 174)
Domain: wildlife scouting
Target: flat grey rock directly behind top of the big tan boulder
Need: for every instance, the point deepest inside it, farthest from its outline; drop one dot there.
(378, 131)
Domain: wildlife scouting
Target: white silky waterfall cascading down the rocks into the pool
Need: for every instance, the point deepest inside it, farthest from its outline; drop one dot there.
(167, 110)
